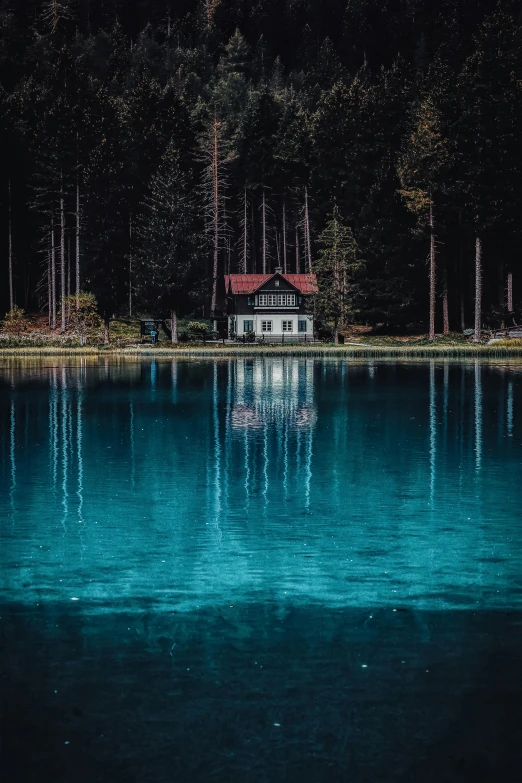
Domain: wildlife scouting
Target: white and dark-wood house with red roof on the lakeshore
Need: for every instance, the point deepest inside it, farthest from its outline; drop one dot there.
(270, 305)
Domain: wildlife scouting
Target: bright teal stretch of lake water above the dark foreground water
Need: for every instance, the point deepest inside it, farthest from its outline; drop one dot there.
(264, 479)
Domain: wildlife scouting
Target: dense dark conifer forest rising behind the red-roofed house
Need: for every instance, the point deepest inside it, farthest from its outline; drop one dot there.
(150, 147)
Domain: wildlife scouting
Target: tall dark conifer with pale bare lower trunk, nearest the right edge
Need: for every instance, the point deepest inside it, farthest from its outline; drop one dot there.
(488, 174)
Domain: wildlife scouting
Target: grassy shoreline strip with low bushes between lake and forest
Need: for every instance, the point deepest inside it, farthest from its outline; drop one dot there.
(37, 337)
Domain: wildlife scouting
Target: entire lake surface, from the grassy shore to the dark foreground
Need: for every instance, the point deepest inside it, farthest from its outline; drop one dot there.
(260, 569)
